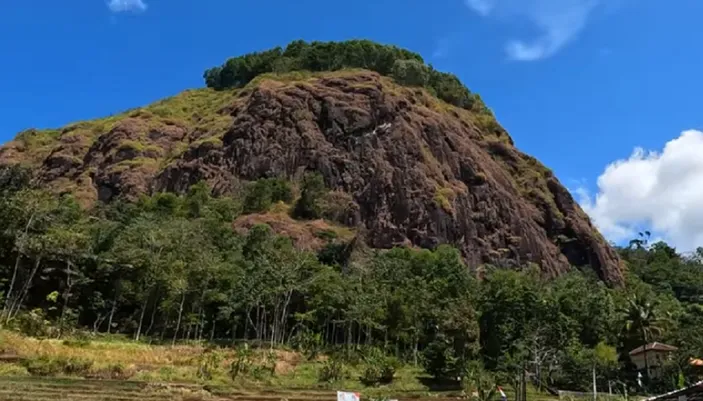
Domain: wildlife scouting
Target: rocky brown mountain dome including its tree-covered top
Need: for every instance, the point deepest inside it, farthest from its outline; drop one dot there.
(409, 155)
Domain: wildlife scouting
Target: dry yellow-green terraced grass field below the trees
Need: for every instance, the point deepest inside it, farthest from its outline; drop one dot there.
(120, 370)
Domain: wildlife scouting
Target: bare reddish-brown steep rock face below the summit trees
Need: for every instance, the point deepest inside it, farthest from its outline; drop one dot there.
(420, 172)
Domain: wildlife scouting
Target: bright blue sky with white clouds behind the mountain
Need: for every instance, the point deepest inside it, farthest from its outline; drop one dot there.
(579, 84)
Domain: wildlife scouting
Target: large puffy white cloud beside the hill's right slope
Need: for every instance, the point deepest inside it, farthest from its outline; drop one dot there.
(662, 191)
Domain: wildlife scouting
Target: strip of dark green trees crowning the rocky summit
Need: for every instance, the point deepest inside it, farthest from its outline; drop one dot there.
(403, 65)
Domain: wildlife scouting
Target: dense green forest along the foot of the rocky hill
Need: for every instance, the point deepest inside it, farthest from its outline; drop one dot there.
(170, 268)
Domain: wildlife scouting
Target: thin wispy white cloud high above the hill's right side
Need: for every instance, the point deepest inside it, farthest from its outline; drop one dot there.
(560, 22)
